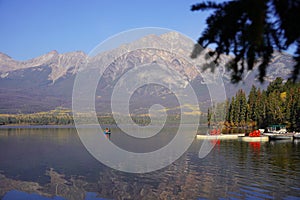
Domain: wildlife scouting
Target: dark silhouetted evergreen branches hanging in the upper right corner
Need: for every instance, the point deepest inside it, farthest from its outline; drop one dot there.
(252, 30)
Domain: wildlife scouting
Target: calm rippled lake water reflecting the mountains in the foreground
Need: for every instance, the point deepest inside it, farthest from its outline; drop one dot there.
(52, 163)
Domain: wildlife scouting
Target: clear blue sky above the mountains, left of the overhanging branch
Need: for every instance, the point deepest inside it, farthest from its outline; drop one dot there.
(30, 28)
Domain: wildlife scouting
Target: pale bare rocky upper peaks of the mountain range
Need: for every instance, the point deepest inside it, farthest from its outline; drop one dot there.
(62, 64)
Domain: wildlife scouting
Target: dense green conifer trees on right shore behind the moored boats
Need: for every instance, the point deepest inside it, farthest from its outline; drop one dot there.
(278, 104)
